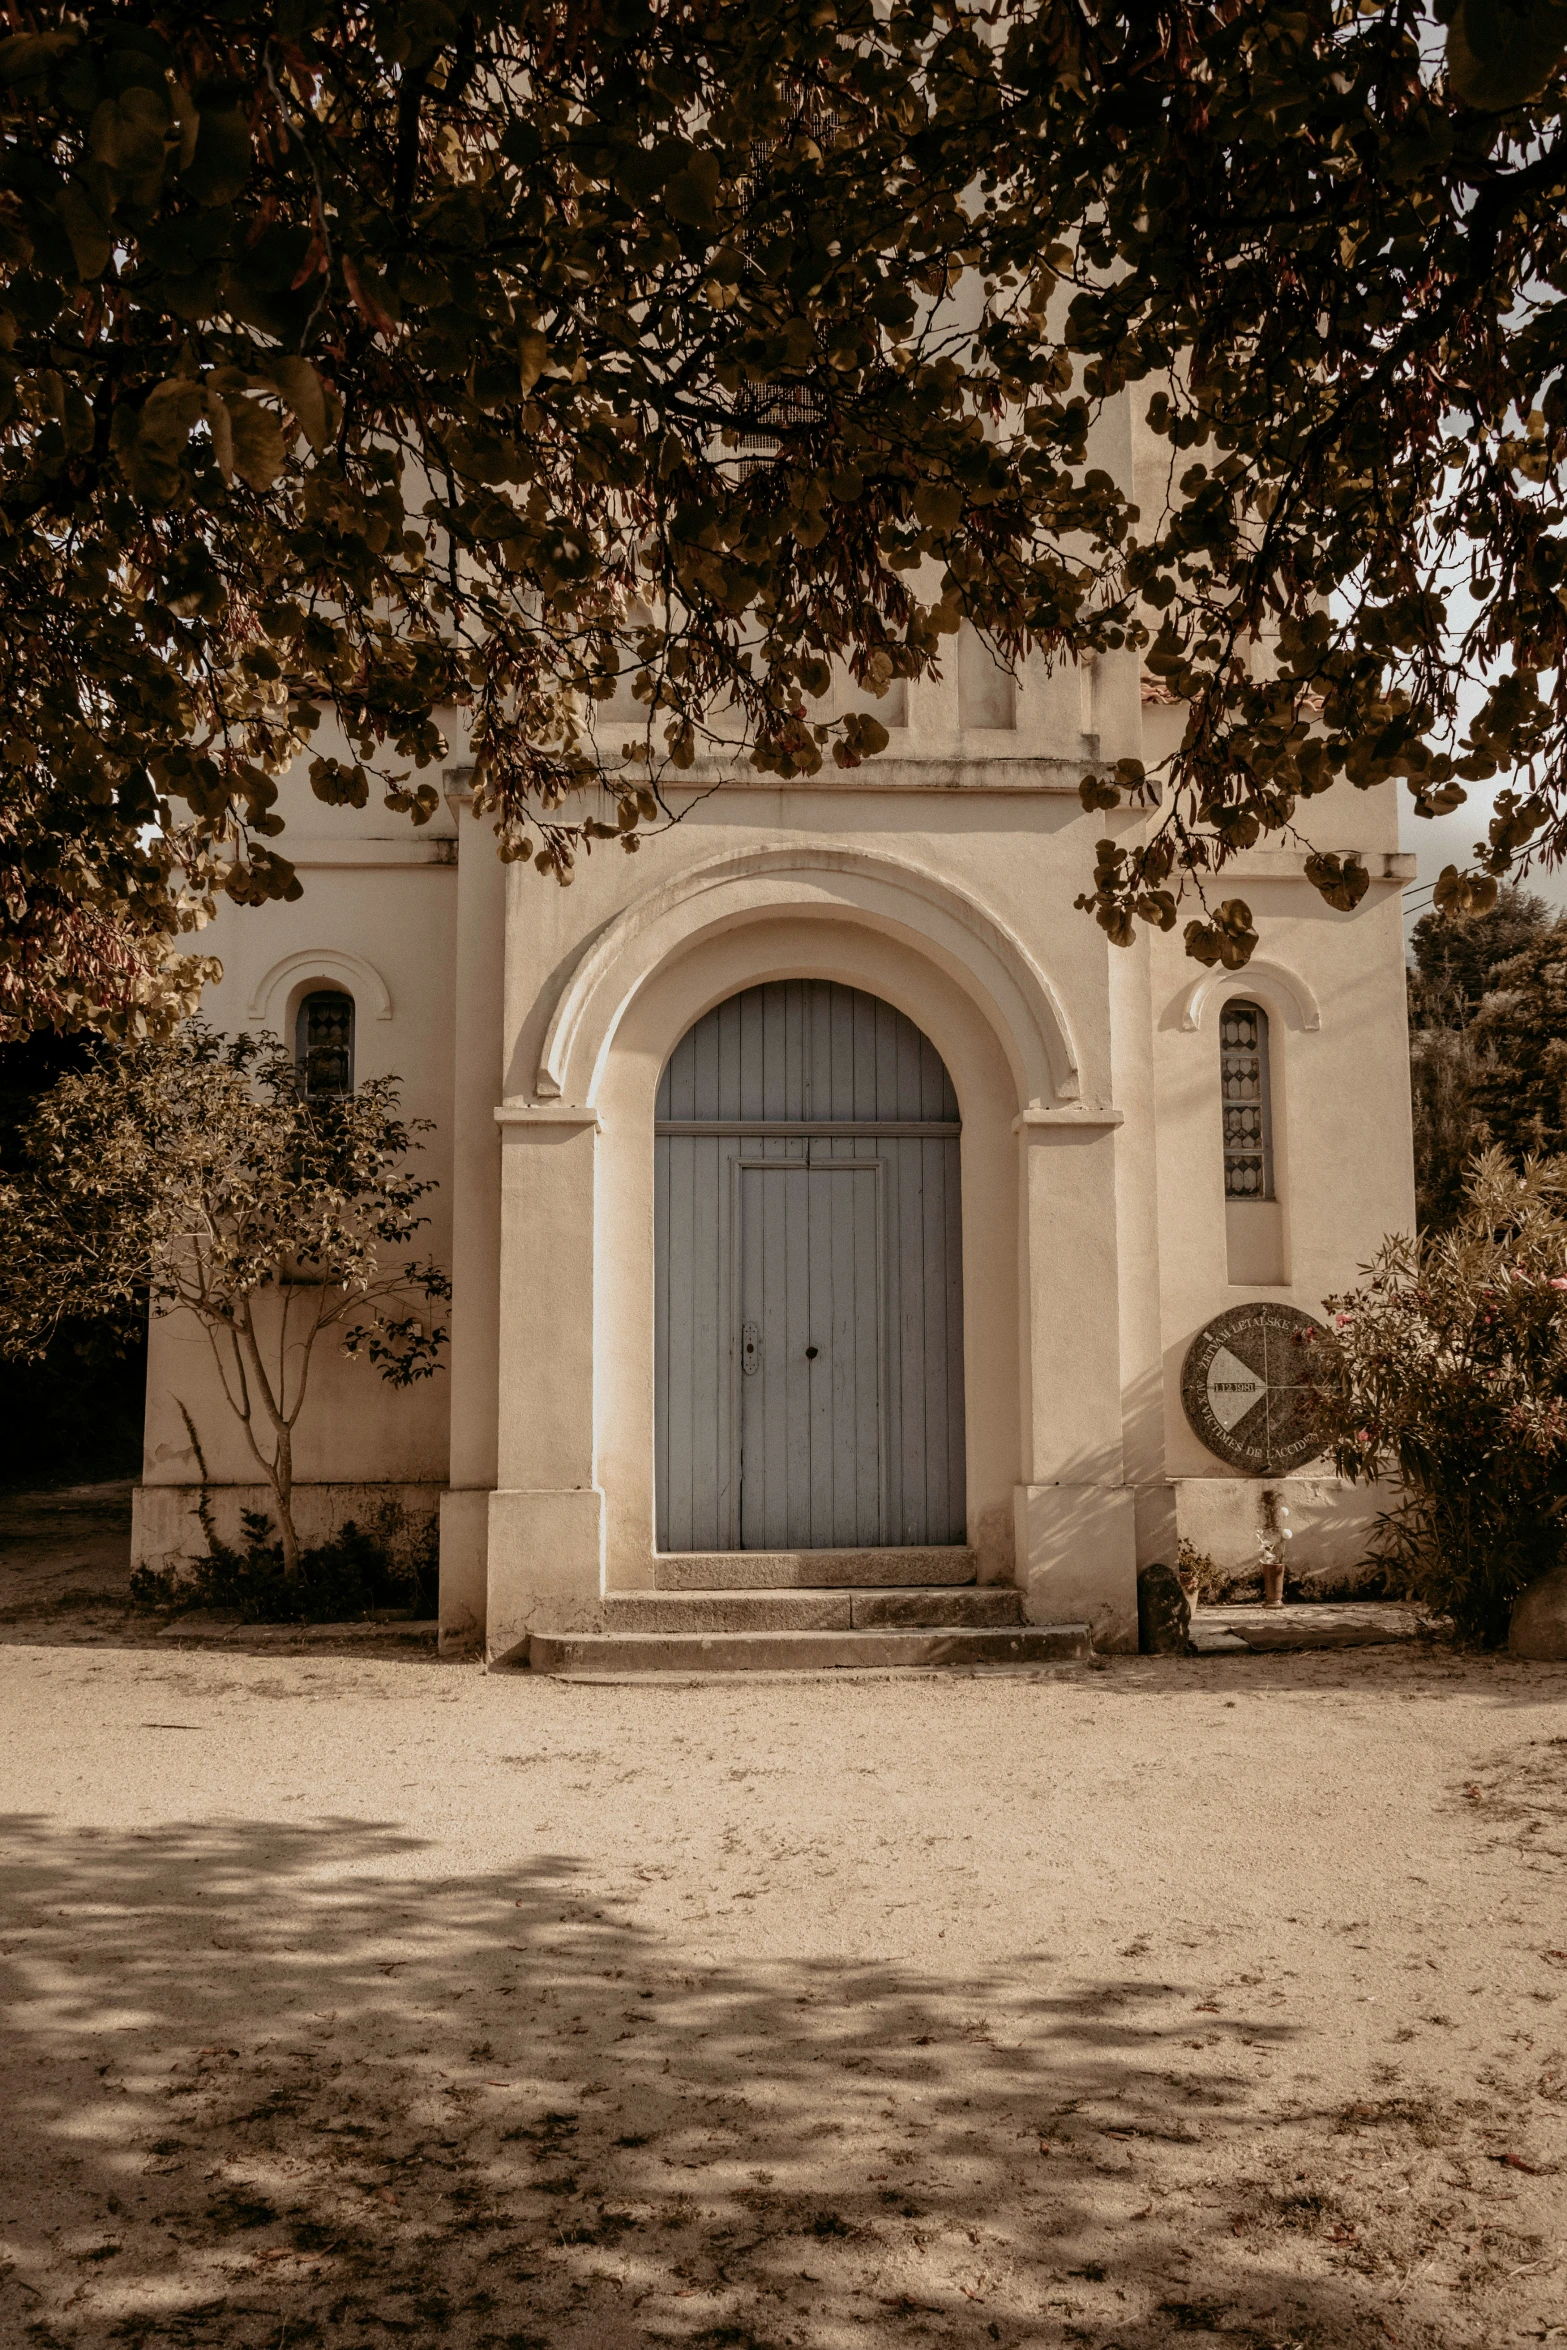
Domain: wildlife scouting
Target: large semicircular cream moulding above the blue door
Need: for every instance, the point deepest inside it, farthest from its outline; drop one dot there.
(880, 892)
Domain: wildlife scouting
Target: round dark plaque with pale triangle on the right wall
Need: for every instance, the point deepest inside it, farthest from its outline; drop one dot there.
(1246, 1388)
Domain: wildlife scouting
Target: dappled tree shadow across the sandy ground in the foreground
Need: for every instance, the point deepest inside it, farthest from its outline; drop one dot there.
(269, 2090)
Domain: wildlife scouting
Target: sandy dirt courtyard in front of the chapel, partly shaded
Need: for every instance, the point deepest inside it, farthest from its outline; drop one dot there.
(363, 1999)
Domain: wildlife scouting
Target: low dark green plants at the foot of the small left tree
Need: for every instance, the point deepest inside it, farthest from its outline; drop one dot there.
(363, 1571)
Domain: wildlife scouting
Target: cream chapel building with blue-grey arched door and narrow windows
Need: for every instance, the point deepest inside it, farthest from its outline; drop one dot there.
(833, 1211)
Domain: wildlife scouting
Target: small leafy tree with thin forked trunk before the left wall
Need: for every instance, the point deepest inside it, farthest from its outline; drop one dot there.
(201, 1174)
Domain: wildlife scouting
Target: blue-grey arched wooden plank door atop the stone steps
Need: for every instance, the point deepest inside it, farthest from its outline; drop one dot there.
(809, 1280)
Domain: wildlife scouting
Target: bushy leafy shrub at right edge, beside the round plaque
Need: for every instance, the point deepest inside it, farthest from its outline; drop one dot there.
(1451, 1369)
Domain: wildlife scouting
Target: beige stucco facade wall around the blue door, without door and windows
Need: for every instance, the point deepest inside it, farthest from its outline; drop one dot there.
(532, 1023)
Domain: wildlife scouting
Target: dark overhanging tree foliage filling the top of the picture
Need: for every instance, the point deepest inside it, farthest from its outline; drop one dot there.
(377, 363)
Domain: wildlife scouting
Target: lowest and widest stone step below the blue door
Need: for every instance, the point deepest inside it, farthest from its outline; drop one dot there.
(807, 1651)
